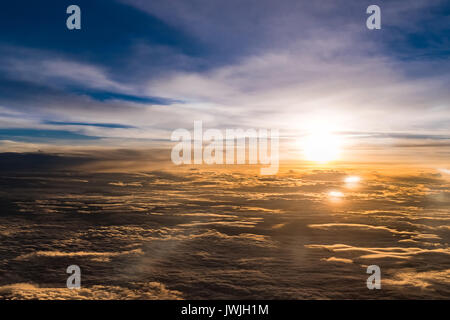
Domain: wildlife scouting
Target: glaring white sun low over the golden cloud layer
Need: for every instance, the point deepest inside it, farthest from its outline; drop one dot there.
(321, 146)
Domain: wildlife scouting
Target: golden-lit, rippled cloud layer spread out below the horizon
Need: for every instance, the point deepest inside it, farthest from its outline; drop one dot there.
(224, 234)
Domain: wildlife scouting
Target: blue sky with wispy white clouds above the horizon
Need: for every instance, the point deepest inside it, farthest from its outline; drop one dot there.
(137, 70)
